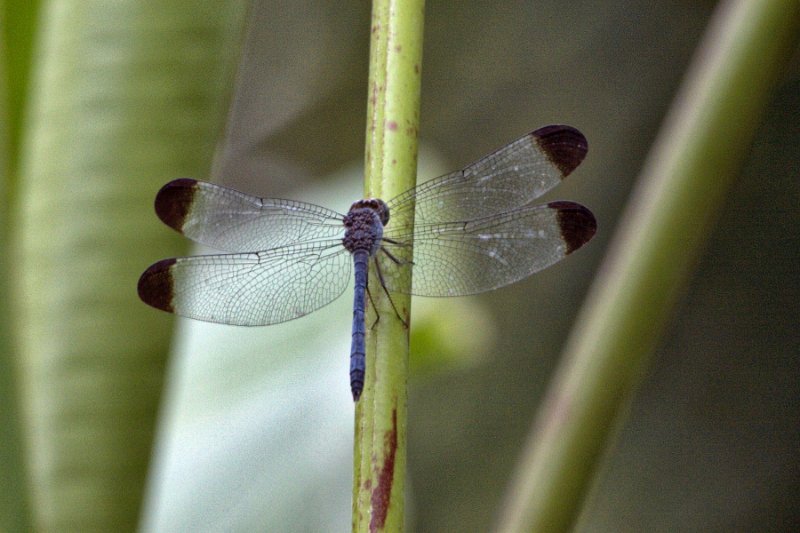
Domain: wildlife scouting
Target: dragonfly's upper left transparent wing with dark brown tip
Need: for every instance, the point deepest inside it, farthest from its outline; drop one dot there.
(229, 220)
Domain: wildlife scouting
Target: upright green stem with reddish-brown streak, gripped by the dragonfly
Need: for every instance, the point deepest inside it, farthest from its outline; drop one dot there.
(390, 168)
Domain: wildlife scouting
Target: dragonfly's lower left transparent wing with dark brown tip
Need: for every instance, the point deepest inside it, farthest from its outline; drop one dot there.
(250, 289)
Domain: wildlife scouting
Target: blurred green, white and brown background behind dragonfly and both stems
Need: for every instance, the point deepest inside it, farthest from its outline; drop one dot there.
(255, 428)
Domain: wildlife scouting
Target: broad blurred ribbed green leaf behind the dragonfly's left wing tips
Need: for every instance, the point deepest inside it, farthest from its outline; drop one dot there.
(124, 95)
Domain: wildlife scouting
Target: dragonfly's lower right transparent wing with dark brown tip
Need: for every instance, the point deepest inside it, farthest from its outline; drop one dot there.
(459, 258)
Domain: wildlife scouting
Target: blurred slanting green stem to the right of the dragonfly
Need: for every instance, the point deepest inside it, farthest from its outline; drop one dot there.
(661, 234)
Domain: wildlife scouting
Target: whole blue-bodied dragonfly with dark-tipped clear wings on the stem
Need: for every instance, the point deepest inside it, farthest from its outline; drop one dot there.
(466, 232)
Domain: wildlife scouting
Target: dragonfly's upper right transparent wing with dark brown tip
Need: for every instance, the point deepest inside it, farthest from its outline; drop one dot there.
(504, 180)
